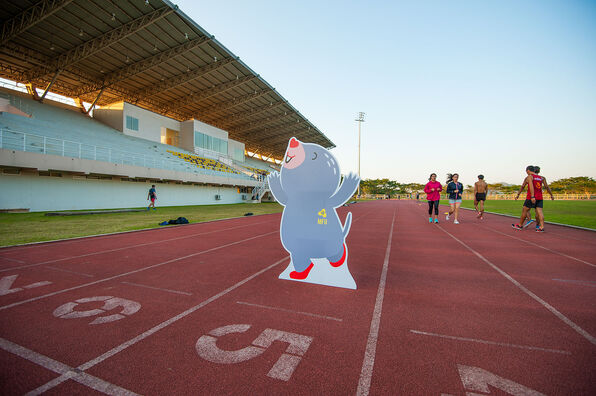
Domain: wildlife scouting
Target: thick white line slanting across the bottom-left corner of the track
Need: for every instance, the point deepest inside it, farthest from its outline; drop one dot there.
(61, 368)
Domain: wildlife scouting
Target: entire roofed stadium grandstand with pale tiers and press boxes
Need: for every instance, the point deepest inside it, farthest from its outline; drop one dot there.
(100, 99)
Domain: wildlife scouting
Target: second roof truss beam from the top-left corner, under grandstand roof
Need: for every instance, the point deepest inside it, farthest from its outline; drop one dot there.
(98, 44)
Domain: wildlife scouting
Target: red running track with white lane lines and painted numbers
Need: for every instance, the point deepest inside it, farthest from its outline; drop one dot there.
(469, 309)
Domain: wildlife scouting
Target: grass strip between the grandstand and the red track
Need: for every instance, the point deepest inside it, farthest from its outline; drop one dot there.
(18, 228)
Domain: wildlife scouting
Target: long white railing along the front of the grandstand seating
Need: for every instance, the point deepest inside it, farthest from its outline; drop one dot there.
(21, 141)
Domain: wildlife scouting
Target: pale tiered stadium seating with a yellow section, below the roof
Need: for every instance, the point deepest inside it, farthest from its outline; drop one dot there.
(58, 131)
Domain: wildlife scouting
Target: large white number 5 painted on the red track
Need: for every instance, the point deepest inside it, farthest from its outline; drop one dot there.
(282, 369)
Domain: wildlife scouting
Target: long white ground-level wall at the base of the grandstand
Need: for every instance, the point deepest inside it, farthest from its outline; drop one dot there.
(46, 193)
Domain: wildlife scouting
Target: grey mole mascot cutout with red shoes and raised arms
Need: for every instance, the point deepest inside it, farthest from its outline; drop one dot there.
(308, 186)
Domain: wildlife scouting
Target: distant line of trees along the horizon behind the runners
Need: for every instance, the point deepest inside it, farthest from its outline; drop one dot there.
(569, 185)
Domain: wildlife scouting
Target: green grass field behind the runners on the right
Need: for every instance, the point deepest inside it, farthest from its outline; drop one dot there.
(577, 213)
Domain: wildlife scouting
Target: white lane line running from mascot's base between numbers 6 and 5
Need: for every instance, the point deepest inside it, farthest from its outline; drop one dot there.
(155, 329)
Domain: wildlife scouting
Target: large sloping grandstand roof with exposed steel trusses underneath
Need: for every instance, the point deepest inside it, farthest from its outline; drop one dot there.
(146, 52)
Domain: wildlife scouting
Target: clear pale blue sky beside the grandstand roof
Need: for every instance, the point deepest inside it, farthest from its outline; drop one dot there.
(447, 86)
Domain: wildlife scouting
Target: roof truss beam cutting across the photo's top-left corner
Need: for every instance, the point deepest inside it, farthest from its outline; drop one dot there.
(28, 18)
